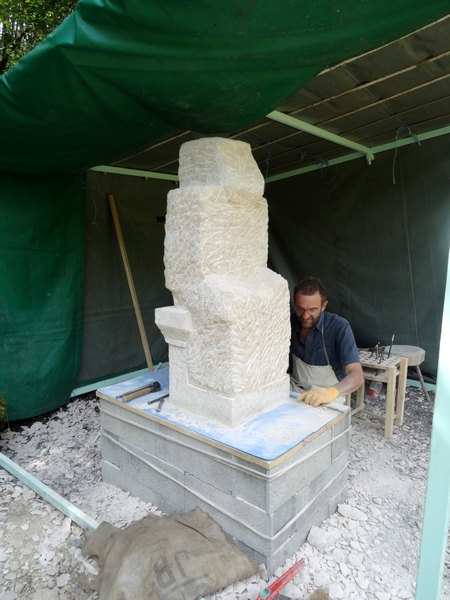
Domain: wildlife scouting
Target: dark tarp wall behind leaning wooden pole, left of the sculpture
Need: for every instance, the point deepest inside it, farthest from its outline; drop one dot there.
(111, 340)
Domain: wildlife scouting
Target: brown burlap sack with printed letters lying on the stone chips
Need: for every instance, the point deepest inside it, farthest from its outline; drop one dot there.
(177, 557)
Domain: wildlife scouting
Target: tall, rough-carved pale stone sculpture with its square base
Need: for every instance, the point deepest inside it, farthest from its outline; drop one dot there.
(229, 331)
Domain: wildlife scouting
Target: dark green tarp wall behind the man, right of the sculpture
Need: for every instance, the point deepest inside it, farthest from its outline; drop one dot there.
(380, 249)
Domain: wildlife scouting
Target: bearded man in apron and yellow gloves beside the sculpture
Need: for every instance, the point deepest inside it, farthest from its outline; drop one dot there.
(325, 362)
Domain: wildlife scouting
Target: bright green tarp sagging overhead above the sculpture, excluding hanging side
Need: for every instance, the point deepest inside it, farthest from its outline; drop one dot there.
(116, 76)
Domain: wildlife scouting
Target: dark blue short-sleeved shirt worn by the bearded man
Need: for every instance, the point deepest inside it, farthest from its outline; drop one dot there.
(339, 342)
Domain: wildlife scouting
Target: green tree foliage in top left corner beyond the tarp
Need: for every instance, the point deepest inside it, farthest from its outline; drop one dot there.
(24, 23)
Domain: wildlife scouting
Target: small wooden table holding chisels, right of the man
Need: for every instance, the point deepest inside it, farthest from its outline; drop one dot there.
(387, 371)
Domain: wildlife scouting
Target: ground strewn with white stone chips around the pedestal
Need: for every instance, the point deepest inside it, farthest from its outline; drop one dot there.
(368, 550)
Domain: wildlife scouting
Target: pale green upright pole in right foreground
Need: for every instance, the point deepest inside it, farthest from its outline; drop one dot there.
(437, 502)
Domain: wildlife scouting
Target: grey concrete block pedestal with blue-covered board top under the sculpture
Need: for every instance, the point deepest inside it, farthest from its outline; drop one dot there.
(265, 482)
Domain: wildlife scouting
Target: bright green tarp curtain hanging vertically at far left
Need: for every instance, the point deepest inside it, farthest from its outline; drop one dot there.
(41, 278)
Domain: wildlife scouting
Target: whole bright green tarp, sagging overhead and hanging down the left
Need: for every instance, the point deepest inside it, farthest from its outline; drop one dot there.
(113, 79)
